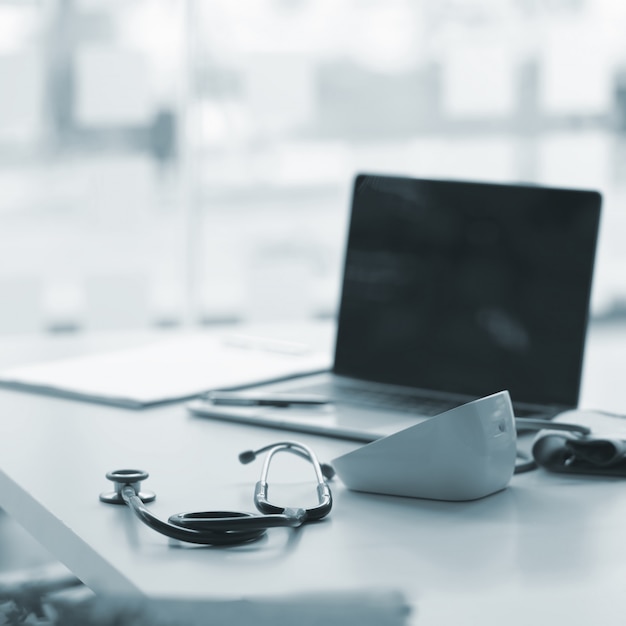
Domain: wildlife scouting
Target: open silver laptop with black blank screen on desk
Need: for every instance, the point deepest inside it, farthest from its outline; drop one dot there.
(451, 291)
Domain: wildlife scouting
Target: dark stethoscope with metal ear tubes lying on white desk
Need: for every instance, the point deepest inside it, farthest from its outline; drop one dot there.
(226, 527)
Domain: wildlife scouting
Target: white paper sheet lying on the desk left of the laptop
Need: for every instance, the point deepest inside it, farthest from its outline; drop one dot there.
(167, 370)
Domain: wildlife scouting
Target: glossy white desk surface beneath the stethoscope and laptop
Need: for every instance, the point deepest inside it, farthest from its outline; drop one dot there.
(549, 549)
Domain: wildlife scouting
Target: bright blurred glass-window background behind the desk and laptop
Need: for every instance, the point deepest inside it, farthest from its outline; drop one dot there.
(166, 162)
